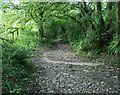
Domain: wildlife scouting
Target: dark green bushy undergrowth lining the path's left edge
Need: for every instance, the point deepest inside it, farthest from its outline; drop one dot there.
(17, 72)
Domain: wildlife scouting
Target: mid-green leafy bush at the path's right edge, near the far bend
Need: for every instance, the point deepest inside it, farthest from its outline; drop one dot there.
(86, 42)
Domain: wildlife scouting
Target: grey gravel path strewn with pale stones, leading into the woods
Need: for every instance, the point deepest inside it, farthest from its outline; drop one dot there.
(69, 78)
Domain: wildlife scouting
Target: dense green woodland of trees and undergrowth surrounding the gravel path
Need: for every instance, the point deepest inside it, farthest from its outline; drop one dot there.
(90, 28)
